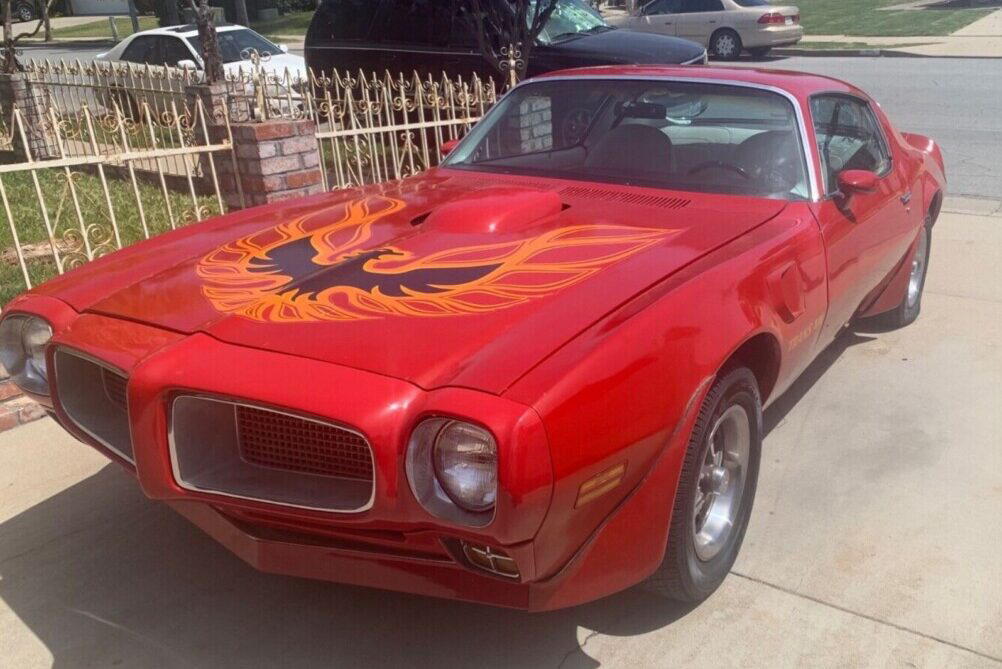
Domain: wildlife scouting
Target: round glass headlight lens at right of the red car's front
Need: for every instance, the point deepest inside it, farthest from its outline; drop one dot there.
(466, 465)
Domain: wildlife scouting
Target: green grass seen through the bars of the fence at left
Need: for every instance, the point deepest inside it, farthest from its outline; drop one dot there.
(28, 217)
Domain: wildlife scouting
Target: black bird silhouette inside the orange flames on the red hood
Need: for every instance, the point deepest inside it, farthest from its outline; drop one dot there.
(297, 260)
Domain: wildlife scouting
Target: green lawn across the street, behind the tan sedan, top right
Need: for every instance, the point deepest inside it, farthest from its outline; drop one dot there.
(865, 19)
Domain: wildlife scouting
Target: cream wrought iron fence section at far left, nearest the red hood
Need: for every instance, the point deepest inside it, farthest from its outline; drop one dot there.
(83, 200)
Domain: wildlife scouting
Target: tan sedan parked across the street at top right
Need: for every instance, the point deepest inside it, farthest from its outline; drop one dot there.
(725, 28)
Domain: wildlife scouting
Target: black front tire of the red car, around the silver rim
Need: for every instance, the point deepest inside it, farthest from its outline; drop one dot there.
(684, 576)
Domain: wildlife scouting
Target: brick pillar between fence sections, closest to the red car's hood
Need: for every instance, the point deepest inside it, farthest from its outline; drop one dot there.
(276, 161)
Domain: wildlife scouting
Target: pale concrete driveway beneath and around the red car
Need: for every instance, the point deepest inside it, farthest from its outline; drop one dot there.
(876, 539)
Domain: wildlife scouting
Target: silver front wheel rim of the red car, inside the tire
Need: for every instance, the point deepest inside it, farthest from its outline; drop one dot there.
(723, 476)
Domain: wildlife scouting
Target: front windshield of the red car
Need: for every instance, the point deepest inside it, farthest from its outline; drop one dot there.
(672, 135)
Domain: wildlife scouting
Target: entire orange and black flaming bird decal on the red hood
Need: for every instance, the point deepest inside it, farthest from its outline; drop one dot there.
(313, 270)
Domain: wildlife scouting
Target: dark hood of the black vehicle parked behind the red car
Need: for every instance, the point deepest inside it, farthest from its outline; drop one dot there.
(631, 48)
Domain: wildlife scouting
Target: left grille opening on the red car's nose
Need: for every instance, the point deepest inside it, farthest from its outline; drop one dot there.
(95, 398)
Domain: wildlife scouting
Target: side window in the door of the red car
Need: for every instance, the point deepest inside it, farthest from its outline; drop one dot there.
(848, 138)
